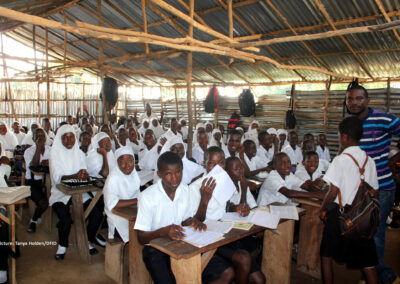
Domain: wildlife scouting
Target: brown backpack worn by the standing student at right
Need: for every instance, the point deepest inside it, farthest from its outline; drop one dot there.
(361, 221)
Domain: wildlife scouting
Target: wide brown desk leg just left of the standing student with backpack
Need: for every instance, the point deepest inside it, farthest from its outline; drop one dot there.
(310, 237)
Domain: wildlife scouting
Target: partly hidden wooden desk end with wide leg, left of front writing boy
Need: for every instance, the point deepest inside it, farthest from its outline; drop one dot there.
(137, 269)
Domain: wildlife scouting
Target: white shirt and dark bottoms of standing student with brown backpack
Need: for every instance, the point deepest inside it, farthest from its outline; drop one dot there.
(344, 174)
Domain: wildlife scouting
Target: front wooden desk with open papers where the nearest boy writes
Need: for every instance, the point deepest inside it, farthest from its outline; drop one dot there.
(188, 261)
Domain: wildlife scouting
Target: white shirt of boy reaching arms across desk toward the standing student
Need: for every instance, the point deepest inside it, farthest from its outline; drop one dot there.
(269, 192)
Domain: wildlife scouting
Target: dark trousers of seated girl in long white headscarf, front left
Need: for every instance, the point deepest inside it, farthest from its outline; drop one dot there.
(64, 220)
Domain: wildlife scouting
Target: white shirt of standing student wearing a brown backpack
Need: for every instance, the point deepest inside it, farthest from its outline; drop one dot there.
(344, 174)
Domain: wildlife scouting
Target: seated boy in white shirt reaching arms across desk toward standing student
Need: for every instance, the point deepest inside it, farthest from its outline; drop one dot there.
(281, 184)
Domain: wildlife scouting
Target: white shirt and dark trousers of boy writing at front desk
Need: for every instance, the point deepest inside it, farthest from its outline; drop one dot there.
(157, 210)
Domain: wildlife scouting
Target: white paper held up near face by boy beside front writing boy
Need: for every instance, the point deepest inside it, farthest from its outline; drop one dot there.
(224, 187)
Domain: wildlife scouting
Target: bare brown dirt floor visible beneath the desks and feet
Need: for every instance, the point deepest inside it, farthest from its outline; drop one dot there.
(38, 266)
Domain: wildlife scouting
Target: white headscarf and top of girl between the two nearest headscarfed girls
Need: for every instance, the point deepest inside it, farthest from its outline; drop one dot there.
(94, 160)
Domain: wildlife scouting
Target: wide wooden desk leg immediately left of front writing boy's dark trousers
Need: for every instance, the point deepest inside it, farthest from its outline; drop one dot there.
(138, 273)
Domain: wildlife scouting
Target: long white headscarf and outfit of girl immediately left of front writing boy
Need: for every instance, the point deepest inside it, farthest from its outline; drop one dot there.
(120, 186)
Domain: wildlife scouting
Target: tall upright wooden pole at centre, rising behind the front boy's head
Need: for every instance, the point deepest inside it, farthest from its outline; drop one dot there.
(189, 85)
